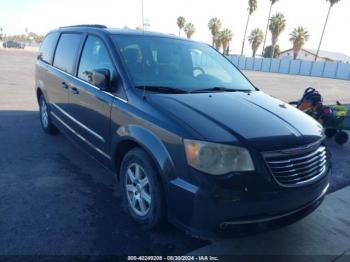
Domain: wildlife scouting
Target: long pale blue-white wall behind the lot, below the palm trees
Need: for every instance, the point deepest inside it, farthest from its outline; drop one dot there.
(294, 67)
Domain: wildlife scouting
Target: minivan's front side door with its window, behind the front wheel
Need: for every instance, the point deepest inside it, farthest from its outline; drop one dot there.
(89, 106)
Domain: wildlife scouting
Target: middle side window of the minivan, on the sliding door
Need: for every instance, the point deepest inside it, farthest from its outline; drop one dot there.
(66, 52)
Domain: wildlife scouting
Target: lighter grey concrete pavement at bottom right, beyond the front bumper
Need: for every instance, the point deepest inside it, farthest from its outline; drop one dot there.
(322, 236)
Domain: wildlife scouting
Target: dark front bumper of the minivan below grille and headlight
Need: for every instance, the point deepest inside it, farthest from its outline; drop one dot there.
(206, 210)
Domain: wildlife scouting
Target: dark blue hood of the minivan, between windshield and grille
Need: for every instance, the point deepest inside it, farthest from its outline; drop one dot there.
(262, 121)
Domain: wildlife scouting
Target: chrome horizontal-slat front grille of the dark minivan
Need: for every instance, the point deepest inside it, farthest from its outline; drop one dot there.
(298, 166)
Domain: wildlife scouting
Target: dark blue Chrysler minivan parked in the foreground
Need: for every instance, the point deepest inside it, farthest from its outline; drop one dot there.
(189, 137)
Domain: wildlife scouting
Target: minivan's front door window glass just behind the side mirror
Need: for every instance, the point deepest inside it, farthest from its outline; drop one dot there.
(94, 56)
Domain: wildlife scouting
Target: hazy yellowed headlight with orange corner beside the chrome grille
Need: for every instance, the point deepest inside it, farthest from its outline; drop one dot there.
(217, 159)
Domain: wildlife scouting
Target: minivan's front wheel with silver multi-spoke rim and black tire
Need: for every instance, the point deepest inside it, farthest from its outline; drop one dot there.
(142, 190)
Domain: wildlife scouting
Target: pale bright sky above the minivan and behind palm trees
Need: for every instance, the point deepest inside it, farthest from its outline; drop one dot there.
(41, 16)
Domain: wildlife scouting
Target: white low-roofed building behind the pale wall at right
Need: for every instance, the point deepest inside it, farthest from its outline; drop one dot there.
(310, 54)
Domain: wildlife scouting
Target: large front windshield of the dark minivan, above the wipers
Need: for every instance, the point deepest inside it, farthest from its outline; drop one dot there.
(179, 64)
